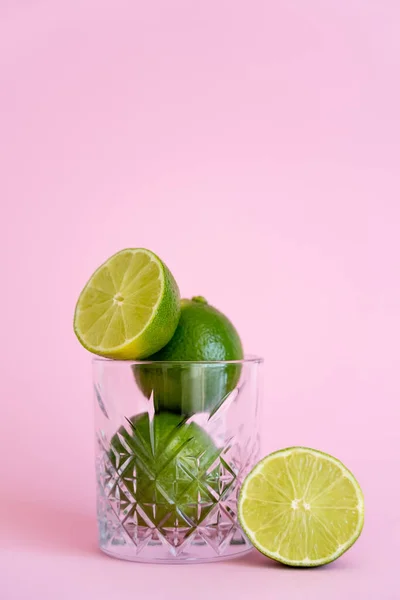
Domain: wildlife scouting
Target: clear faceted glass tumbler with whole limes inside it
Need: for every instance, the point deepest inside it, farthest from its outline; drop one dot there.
(174, 441)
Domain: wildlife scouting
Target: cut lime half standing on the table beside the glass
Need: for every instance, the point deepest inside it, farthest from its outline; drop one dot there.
(301, 507)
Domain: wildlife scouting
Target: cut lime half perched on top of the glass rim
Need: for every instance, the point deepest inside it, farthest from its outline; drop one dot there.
(129, 308)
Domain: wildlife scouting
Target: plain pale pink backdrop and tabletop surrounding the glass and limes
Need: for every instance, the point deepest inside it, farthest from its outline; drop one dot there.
(255, 146)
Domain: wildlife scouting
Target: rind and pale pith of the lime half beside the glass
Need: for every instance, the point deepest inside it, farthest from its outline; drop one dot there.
(302, 562)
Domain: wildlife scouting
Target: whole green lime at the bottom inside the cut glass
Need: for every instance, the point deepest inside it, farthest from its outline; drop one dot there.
(162, 464)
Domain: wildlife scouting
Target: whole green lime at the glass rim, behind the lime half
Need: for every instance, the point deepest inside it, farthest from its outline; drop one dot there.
(194, 380)
